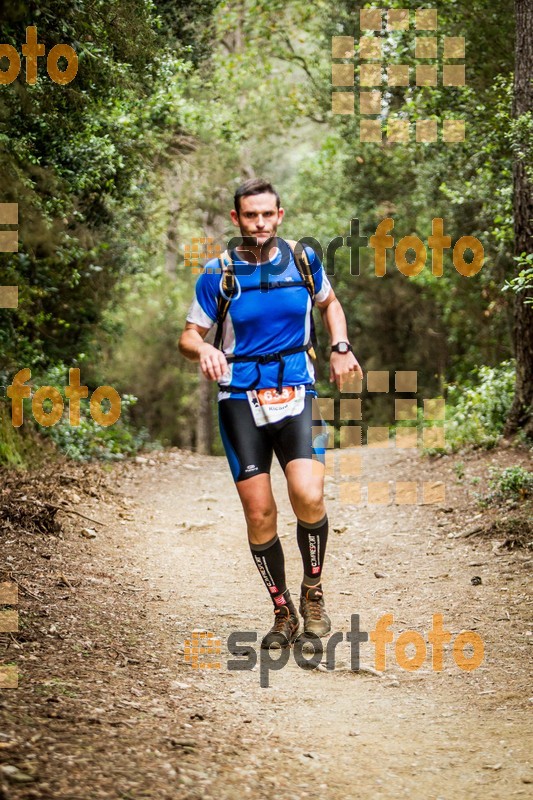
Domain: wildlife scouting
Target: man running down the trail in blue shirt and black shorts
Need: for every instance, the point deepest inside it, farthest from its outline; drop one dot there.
(260, 299)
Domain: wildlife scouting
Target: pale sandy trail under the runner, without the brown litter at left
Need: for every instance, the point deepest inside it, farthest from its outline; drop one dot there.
(418, 734)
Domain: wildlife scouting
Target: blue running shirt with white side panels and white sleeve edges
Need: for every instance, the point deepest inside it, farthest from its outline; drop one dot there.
(260, 322)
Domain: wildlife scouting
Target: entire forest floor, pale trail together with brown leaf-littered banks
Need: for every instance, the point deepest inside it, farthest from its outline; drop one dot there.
(108, 707)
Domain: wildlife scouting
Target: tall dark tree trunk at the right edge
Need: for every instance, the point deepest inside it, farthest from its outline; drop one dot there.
(521, 414)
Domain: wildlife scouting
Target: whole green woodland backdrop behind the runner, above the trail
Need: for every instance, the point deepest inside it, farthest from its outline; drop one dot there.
(173, 106)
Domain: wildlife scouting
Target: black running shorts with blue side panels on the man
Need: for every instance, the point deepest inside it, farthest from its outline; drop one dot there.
(249, 449)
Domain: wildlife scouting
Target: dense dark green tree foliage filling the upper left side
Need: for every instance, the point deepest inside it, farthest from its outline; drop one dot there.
(78, 160)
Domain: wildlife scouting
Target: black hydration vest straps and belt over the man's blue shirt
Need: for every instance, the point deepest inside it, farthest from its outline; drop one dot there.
(229, 288)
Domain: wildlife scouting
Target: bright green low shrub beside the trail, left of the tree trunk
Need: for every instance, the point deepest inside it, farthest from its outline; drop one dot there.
(477, 409)
